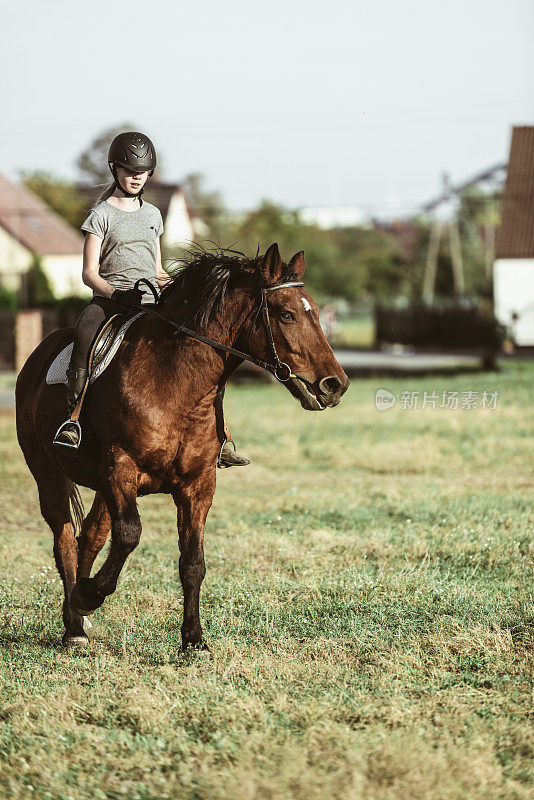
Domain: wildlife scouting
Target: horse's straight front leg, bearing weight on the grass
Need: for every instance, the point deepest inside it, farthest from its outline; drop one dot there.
(193, 501)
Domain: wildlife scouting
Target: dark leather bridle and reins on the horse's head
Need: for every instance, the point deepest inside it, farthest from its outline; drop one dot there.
(279, 369)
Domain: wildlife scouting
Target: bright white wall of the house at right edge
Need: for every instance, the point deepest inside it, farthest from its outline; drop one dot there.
(513, 290)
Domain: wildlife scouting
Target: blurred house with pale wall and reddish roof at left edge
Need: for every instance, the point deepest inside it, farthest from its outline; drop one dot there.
(29, 227)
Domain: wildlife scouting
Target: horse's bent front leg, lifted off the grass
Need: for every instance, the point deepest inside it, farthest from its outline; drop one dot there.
(120, 495)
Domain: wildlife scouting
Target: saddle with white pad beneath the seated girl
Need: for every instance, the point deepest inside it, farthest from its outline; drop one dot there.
(105, 345)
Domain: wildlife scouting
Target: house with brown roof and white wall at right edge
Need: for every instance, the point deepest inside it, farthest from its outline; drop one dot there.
(513, 269)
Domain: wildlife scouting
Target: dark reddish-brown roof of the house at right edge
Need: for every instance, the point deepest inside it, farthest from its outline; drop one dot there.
(515, 235)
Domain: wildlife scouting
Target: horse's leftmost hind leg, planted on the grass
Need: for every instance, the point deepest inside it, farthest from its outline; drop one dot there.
(54, 492)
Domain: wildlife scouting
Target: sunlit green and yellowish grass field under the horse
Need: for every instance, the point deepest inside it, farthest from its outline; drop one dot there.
(367, 601)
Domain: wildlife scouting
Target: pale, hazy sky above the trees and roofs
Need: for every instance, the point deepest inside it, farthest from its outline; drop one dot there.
(331, 103)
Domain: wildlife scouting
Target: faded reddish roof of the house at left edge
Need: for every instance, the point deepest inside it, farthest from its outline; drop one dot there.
(34, 224)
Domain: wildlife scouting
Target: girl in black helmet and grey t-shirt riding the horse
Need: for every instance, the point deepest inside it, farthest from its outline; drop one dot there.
(121, 245)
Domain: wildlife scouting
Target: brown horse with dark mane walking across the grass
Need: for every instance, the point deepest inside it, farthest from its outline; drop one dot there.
(150, 421)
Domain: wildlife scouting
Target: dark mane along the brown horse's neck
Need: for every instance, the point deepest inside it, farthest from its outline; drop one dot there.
(204, 276)
